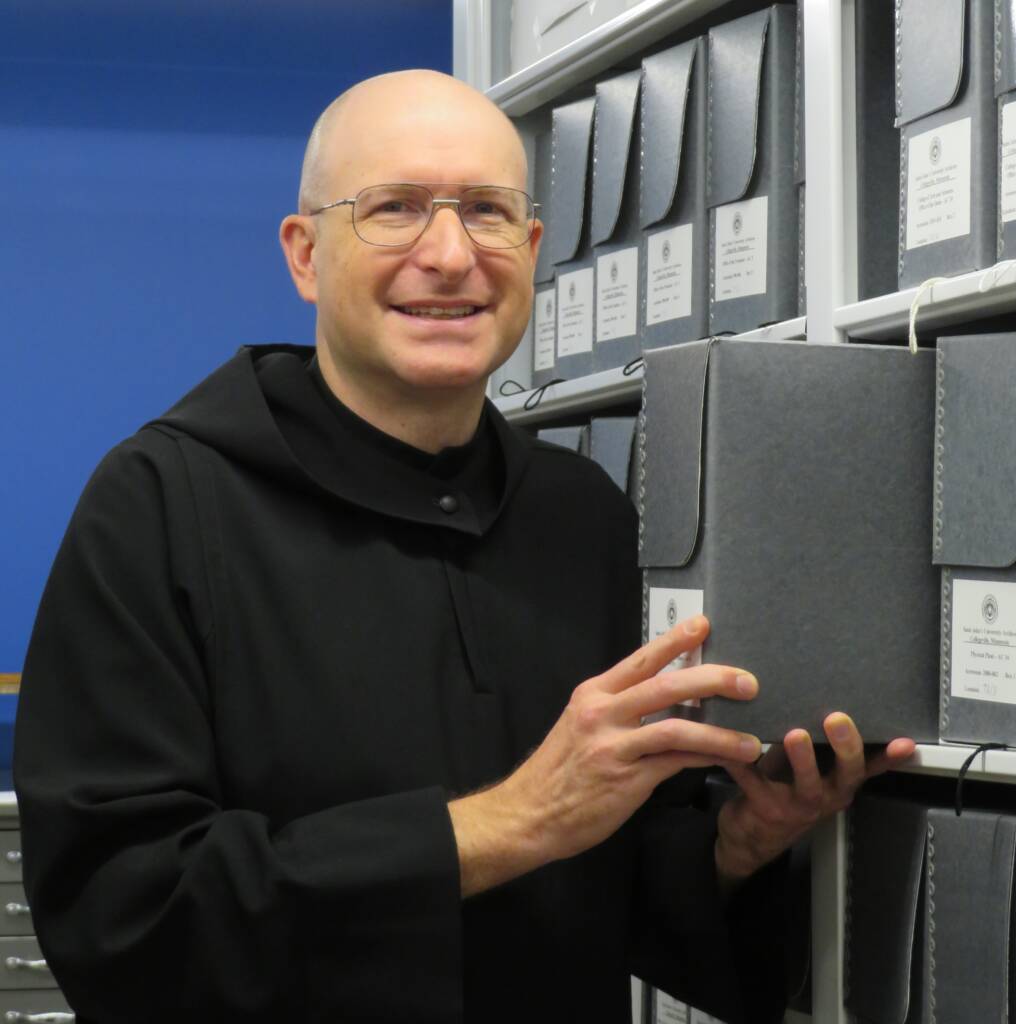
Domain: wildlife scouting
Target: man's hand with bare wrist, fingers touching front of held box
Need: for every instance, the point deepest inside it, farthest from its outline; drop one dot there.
(600, 764)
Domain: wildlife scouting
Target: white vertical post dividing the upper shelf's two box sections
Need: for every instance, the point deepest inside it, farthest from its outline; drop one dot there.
(831, 210)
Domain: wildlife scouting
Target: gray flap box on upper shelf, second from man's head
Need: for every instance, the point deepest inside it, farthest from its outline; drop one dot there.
(571, 251)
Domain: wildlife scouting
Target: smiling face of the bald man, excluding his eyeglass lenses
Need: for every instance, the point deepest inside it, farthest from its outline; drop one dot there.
(437, 317)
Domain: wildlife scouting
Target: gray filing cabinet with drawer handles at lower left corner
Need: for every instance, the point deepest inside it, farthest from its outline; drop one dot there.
(28, 990)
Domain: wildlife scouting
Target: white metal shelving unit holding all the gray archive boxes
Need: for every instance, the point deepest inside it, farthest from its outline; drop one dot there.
(833, 311)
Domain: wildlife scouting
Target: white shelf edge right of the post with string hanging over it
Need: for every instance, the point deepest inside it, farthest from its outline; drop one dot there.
(971, 296)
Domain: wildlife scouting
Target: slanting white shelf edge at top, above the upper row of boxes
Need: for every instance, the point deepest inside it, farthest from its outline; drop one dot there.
(582, 60)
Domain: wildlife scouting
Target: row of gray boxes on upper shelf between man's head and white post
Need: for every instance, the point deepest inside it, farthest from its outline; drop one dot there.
(684, 173)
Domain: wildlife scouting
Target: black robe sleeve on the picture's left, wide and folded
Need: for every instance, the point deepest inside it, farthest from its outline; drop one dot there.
(155, 901)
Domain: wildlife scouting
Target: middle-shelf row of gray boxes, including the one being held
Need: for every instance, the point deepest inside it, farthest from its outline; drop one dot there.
(843, 516)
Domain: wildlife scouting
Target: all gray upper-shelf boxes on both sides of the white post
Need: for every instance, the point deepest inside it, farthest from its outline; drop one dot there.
(673, 197)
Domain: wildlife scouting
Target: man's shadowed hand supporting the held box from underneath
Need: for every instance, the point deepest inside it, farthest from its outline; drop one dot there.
(771, 815)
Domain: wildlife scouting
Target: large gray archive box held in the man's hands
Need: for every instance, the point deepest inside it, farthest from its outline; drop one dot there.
(783, 492)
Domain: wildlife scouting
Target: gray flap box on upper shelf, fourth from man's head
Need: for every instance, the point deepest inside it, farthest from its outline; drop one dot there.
(674, 261)
